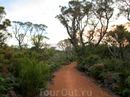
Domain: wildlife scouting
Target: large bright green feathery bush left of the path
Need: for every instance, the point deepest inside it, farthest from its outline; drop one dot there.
(32, 75)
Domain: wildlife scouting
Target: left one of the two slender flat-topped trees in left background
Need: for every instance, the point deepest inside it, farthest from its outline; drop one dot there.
(20, 30)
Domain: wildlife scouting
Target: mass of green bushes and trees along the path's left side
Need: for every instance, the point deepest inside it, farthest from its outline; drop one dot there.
(25, 71)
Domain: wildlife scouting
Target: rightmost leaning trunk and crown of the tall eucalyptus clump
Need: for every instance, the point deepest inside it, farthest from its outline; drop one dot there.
(103, 11)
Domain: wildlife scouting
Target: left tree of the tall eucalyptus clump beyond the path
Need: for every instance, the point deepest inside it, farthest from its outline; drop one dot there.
(75, 19)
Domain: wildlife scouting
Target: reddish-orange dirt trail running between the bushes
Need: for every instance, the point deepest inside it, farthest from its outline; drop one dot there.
(69, 82)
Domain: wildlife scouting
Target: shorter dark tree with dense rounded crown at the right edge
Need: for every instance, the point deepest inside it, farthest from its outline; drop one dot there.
(119, 38)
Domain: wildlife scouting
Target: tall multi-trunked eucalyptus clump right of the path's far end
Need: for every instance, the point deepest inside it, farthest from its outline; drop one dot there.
(81, 15)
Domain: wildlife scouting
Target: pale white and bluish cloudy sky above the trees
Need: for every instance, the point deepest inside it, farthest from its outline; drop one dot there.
(40, 12)
